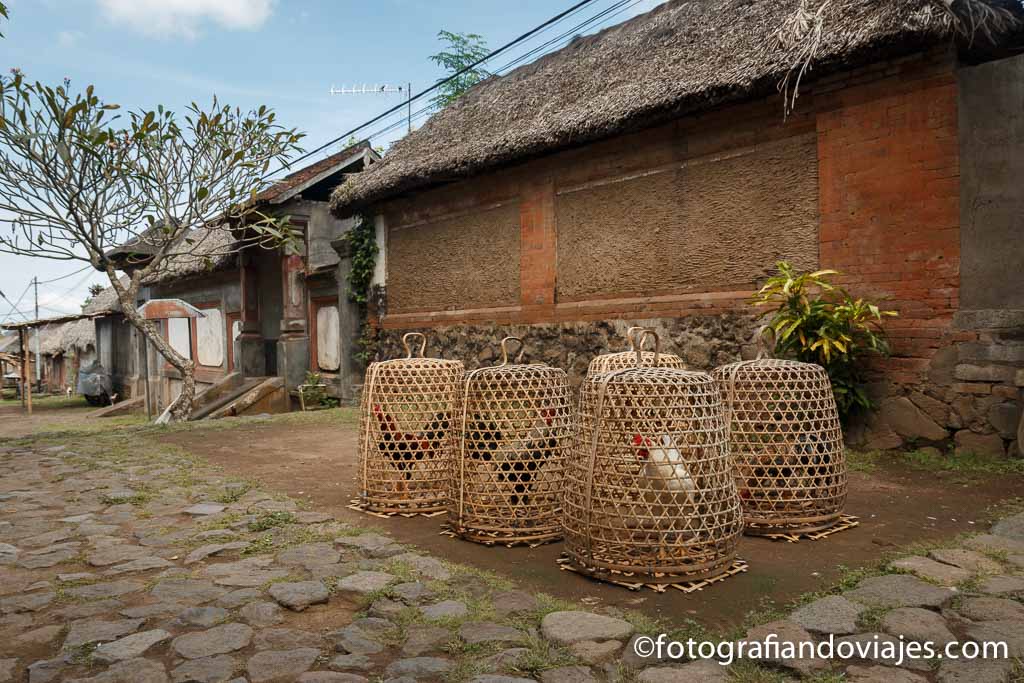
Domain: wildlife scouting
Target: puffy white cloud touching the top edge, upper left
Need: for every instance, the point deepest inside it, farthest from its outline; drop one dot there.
(167, 19)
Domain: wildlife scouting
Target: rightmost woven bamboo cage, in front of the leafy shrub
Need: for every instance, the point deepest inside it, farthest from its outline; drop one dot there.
(787, 446)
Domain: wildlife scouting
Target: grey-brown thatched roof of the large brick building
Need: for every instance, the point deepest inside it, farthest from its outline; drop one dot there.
(682, 58)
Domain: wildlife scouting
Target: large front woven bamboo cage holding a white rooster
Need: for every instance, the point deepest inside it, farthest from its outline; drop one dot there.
(650, 492)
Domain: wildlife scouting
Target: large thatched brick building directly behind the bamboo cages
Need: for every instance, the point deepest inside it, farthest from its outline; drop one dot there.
(654, 175)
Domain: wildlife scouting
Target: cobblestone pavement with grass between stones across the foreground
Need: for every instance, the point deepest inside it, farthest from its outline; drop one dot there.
(125, 564)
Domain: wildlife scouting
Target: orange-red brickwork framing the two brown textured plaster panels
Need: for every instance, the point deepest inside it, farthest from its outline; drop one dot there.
(888, 203)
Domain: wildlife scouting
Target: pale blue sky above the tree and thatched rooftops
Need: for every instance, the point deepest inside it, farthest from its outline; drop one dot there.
(283, 54)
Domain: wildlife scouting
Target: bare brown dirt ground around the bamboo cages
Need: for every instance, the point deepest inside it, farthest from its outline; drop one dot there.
(898, 506)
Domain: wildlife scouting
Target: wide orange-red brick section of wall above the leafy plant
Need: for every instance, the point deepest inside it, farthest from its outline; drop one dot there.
(889, 183)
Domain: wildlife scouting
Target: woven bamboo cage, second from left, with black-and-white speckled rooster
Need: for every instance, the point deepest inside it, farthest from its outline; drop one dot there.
(508, 477)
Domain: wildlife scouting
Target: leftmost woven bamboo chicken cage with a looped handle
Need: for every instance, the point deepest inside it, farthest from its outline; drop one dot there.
(407, 436)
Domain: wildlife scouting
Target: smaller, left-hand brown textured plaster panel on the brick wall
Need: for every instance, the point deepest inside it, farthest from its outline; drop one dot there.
(463, 262)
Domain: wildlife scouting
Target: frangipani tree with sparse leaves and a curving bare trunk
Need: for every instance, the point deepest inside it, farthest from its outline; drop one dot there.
(136, 192)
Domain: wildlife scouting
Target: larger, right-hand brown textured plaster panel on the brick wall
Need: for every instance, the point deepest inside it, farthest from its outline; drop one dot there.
(718, 221)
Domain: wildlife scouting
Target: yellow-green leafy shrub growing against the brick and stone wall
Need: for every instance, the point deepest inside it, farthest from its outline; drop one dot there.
(816, 321)
